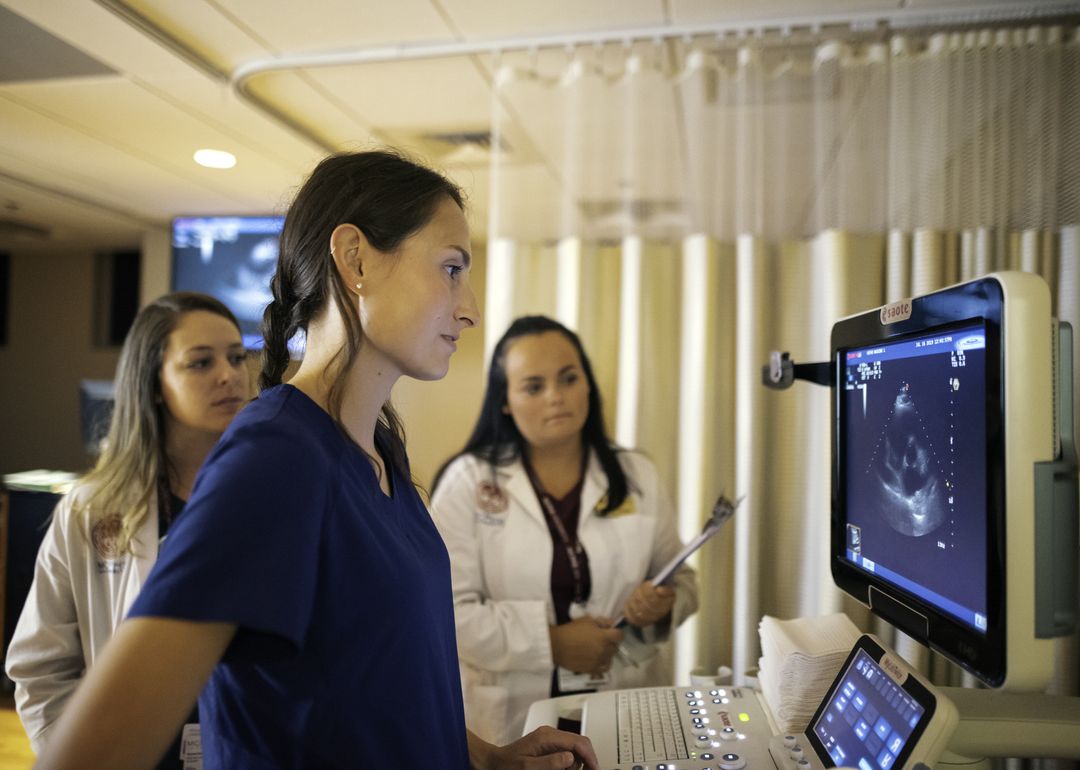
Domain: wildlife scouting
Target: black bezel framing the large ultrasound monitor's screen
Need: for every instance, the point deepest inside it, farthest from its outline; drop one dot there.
(984, 655)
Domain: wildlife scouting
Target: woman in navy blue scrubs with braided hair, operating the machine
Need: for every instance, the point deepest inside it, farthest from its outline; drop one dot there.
(305, 591)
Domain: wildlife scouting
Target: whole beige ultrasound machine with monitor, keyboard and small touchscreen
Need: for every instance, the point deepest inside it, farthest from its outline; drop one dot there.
(954, 518)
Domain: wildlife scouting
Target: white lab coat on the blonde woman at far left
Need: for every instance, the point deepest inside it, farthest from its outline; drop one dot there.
(76, 603)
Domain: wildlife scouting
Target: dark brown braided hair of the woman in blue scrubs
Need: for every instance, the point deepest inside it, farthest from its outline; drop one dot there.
(386, 197)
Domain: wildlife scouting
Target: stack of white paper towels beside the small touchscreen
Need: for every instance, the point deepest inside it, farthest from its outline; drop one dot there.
(800, 660)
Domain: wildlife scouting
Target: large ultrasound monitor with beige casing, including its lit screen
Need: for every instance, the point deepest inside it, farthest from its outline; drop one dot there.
(942, 408)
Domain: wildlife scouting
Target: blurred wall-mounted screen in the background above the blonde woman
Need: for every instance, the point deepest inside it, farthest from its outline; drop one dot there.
(232, 259)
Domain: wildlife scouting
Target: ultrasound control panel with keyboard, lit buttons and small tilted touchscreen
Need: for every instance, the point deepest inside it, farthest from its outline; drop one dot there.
(879, 714)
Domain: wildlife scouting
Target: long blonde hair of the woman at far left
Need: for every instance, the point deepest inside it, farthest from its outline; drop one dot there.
(133, 467)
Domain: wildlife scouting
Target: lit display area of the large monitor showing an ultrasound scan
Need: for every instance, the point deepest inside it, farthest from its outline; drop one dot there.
(915, 443)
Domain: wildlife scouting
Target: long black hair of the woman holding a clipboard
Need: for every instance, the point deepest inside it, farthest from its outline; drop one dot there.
(496, 439)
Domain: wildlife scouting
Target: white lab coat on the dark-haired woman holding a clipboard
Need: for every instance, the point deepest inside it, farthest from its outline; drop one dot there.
(502, 570)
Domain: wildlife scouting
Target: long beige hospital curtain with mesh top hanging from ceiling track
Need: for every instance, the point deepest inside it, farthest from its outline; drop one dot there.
(692, 206)
